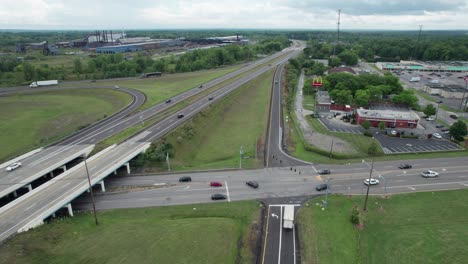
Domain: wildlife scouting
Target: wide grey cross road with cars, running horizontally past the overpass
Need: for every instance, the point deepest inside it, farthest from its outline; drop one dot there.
(278, 182)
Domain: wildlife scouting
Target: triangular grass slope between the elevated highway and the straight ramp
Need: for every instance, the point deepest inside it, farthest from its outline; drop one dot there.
(213, 138)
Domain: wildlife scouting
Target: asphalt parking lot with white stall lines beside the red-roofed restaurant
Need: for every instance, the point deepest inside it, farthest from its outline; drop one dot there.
(392, 145)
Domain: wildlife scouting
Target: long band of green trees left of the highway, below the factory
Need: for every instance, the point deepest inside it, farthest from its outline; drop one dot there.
(16, 72)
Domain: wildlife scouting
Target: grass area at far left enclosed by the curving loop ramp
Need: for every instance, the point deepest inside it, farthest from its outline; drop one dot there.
(32, 120)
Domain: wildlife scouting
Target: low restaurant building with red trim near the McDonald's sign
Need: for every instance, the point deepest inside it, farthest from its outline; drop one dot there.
(397, 119)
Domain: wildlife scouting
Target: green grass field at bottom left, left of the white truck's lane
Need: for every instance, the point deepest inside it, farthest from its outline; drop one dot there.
(202, 233)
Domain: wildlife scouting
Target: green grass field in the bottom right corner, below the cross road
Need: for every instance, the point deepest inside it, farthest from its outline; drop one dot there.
(427, 227)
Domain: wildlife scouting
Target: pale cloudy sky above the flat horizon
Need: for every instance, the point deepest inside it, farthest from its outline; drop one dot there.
(297, 14)
